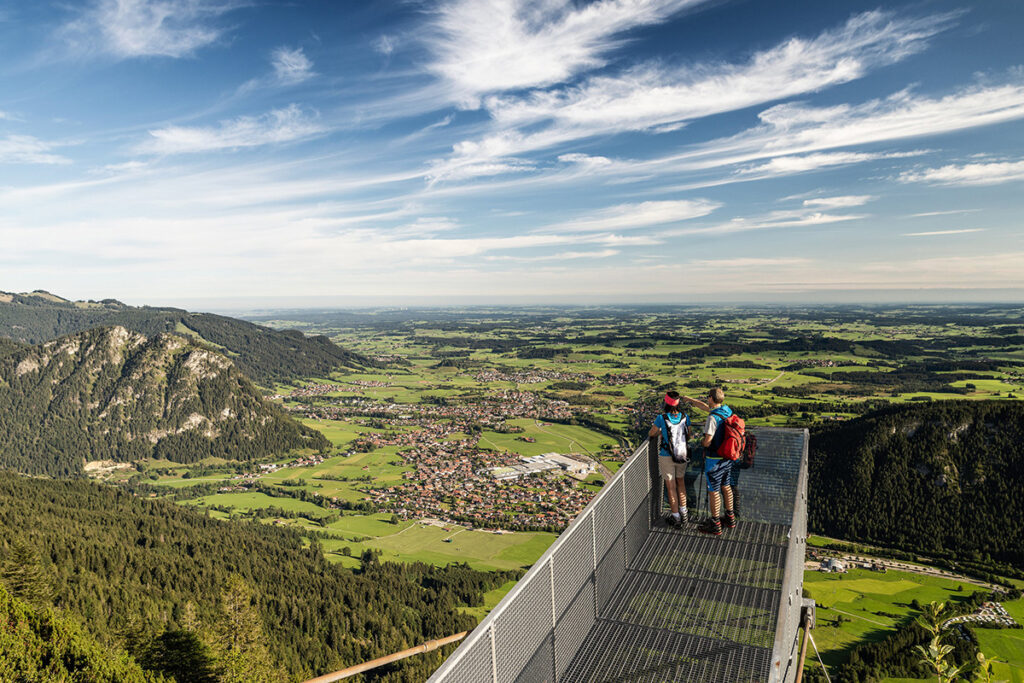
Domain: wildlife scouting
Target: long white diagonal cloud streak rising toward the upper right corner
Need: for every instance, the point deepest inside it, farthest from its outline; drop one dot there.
(650, 96)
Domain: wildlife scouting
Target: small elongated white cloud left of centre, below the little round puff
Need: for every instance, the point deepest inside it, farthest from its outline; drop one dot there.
(278, 126)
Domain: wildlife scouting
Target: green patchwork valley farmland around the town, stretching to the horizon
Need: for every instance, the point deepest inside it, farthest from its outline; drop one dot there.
(455, 388)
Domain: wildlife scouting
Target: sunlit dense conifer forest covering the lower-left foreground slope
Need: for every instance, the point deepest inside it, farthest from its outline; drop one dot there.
(195, 599)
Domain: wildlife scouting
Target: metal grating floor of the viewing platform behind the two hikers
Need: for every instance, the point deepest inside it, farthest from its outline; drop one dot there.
(691, 608)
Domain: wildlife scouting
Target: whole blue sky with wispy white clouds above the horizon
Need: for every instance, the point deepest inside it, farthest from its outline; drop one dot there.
(473, 151)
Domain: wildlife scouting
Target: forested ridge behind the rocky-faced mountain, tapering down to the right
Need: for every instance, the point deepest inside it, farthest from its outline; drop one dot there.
(265, 355)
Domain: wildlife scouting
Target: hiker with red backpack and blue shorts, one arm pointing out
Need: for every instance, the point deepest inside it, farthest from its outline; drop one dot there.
(722, 474)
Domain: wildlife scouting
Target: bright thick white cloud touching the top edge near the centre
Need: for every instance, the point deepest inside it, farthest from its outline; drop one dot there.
(485, 47)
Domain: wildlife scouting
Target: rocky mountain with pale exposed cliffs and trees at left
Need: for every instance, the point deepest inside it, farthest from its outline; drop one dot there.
(114, 395)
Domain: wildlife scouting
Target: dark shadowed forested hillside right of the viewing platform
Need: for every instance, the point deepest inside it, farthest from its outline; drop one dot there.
(943, 479)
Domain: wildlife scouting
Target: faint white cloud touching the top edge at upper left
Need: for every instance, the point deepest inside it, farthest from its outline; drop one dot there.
(147, 28)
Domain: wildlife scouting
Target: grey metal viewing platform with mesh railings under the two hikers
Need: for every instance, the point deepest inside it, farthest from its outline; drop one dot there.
(622, 597)
